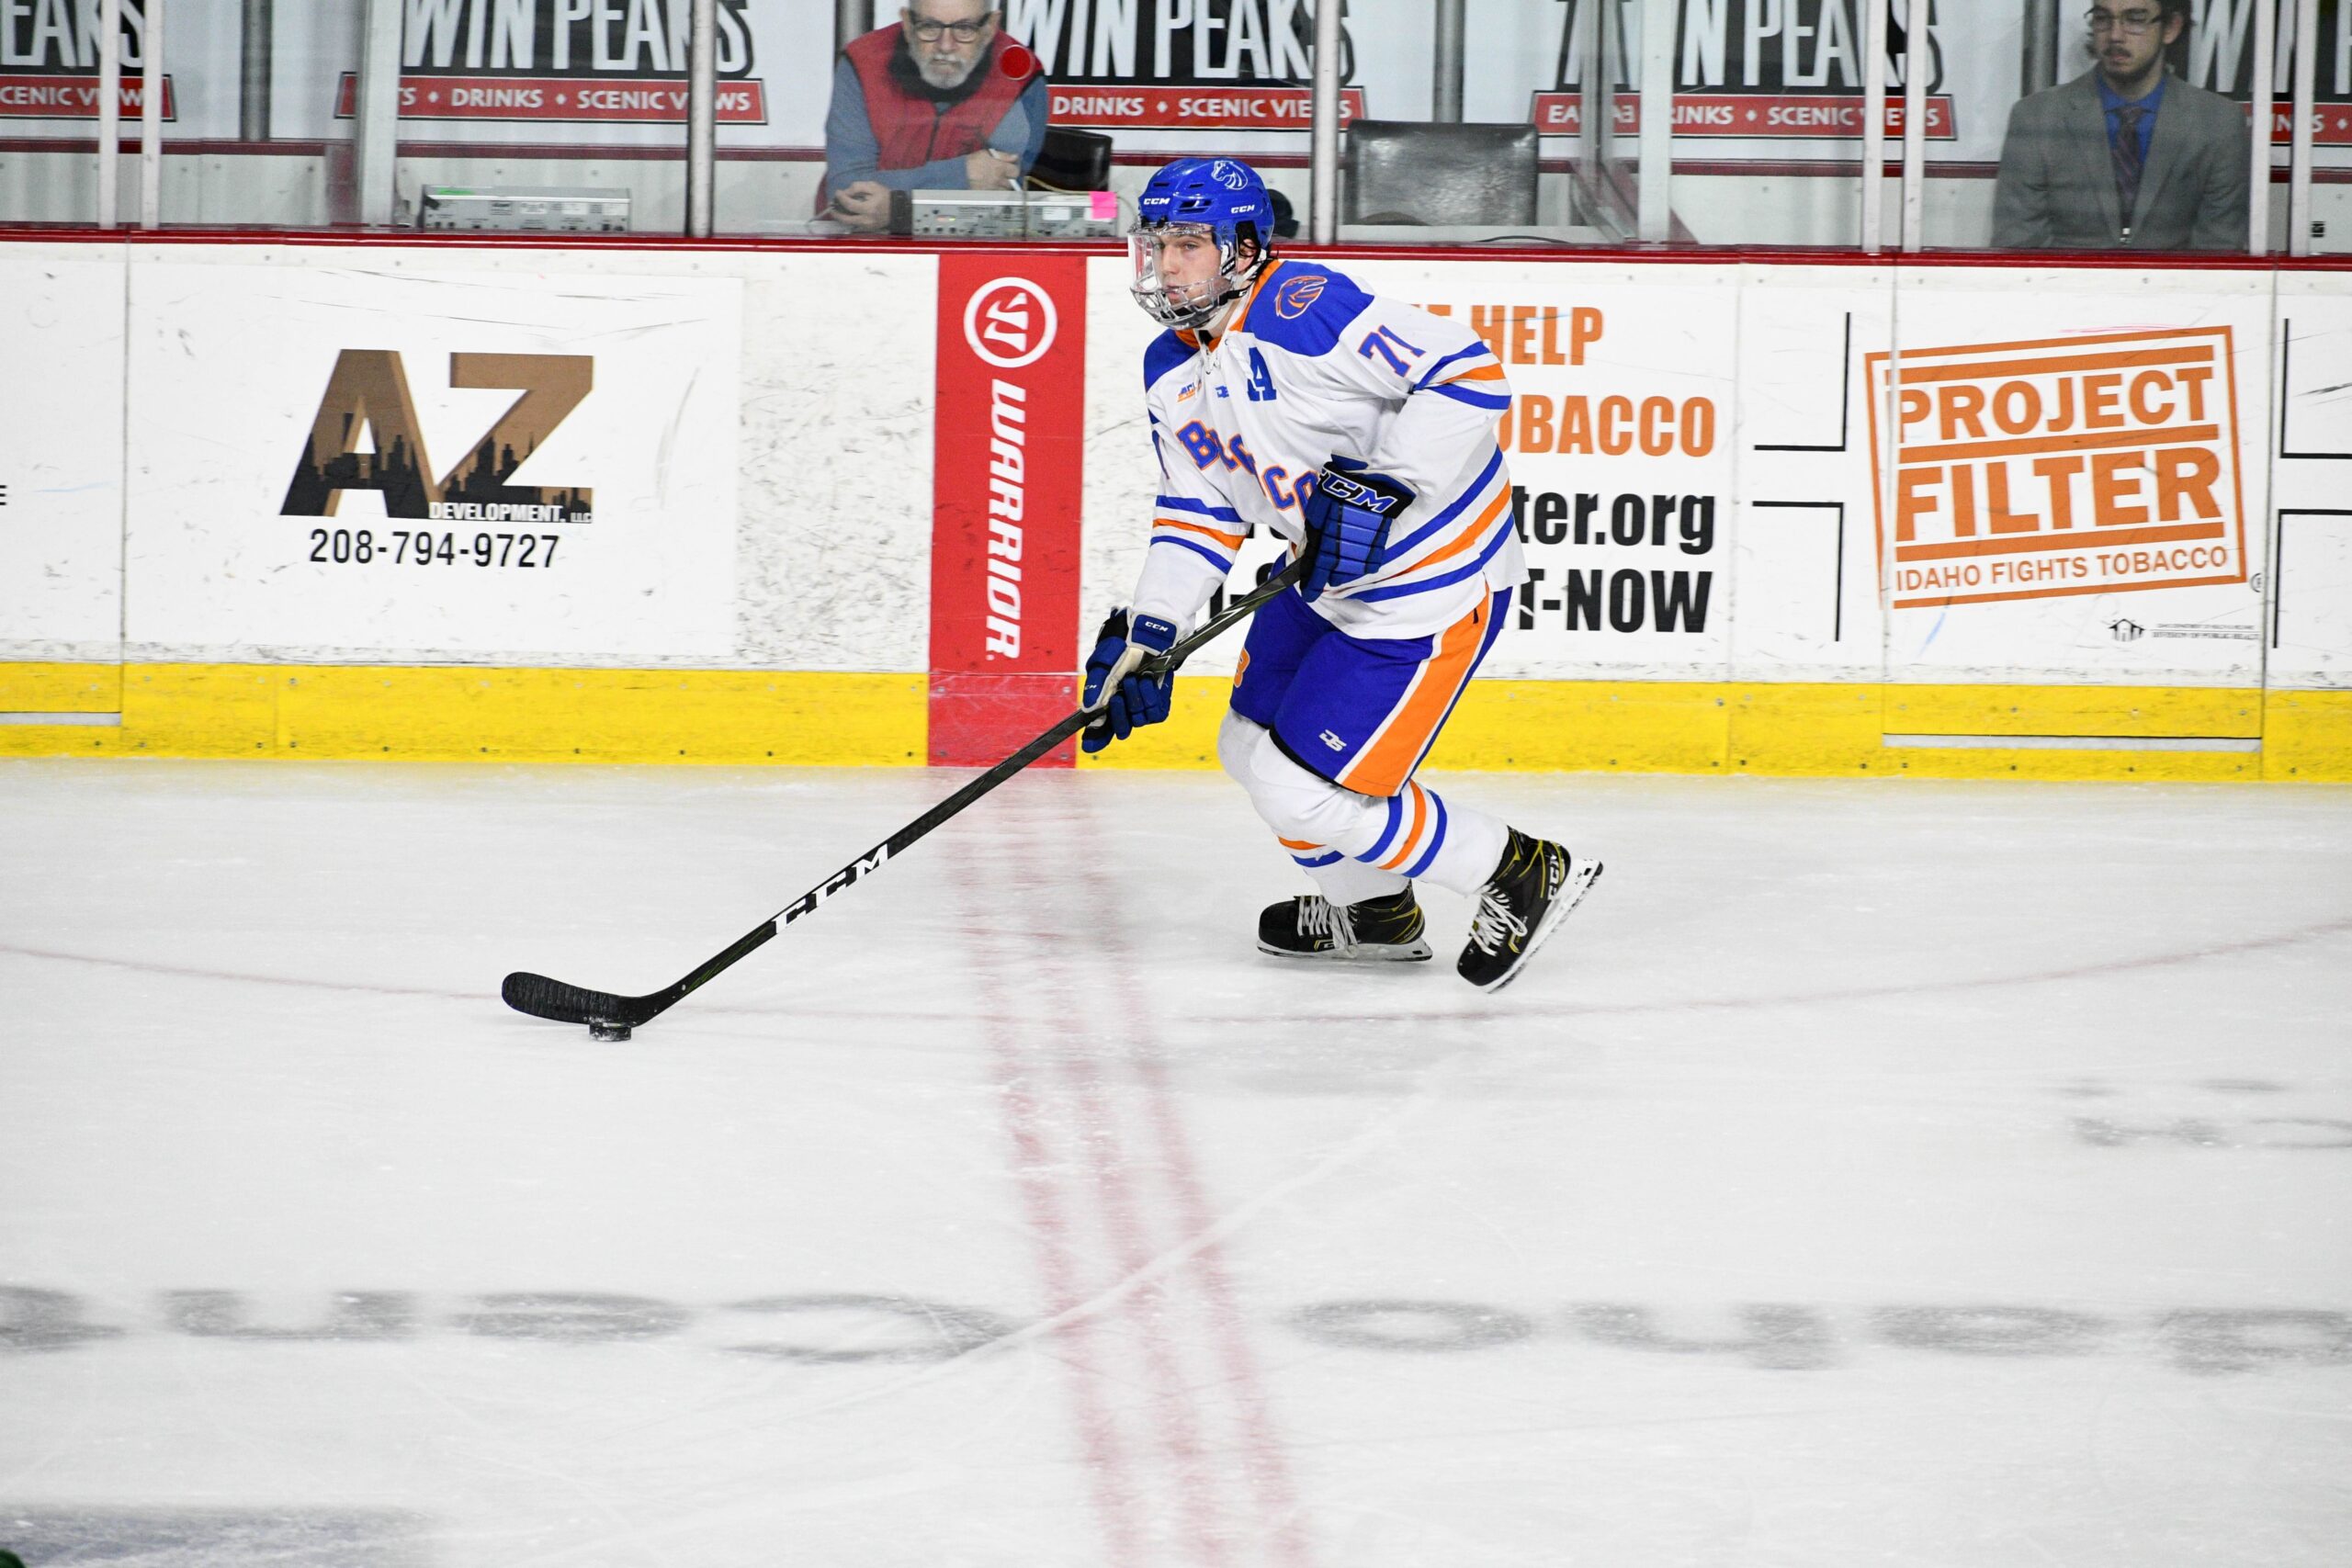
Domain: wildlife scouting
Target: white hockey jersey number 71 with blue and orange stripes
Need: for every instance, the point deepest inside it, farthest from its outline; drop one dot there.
(1316, 368)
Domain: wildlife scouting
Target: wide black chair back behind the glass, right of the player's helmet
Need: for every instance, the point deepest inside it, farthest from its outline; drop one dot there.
(1415, 173)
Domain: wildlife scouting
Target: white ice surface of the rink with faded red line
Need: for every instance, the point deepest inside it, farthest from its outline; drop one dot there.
(1866, 1174)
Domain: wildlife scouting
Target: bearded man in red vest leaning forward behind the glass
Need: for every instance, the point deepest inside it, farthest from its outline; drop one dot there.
(933, 102)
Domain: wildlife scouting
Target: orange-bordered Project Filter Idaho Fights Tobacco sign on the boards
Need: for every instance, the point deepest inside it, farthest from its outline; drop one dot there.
(2059, 467)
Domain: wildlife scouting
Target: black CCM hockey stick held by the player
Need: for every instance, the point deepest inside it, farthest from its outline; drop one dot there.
(610, 1017)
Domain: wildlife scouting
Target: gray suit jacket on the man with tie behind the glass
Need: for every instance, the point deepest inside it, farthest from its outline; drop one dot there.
(2059, 185)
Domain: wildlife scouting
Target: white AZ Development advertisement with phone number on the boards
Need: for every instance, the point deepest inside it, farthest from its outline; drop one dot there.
(460, 464)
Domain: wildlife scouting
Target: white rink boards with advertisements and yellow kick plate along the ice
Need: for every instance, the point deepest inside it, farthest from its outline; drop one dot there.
(867, 504)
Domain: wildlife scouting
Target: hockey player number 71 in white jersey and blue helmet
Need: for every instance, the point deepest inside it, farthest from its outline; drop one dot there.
(1361, 431)
